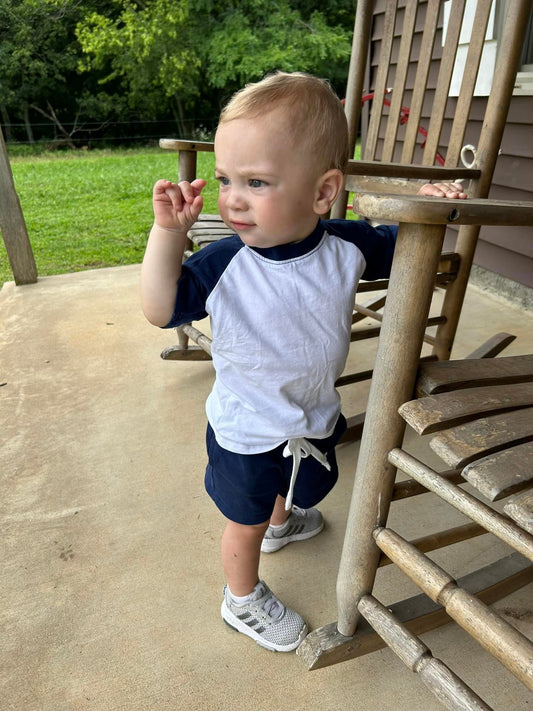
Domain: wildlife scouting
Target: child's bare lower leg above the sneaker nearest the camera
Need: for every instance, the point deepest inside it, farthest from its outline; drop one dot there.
(241, 548)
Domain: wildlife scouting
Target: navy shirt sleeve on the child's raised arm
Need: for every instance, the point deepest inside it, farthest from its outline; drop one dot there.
(199, 275)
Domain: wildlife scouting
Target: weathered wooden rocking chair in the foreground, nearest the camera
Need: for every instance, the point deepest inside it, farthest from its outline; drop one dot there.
(481, 412)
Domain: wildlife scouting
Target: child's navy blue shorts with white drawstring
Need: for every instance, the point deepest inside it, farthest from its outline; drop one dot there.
(245, 486)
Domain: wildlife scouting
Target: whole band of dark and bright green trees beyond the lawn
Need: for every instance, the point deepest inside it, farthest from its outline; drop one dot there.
(78, 60)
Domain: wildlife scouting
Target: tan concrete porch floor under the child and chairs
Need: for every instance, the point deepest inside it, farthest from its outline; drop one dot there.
(111, 582)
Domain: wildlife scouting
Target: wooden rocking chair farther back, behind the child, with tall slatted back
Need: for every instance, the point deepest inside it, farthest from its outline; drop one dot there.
(405, 52)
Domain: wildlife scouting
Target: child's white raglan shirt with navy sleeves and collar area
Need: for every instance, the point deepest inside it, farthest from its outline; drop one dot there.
(281, 321)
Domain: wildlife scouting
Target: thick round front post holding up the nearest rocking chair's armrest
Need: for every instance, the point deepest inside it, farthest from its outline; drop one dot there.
(402, 330)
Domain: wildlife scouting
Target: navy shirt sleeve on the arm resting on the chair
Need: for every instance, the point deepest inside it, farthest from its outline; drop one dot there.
(376, 243)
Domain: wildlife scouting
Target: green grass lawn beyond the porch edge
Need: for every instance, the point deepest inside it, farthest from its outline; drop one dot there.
(89, 210)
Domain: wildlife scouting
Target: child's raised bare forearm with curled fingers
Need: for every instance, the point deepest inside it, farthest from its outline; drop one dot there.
(176, 209)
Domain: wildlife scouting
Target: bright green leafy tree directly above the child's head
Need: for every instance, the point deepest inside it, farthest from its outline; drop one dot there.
(167, 53)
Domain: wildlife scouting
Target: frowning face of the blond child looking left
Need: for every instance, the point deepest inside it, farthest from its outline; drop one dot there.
(267, 189)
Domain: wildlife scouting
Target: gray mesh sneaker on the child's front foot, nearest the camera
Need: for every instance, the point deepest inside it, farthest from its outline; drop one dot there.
(265, 619)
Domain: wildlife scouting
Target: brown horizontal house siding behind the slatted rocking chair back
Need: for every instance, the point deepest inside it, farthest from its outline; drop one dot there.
(505, 252)
